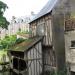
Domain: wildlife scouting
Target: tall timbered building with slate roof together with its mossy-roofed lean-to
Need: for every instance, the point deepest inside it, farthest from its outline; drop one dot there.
(37, 57)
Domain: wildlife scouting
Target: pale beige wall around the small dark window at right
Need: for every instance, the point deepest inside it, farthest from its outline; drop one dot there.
(70, 36)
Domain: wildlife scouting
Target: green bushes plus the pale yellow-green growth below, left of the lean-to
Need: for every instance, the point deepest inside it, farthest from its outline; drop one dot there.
(6, 44)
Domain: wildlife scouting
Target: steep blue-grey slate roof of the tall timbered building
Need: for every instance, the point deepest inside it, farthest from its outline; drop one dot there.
(46, 9)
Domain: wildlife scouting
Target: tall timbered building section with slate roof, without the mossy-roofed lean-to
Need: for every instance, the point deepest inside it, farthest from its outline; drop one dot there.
(41, 25)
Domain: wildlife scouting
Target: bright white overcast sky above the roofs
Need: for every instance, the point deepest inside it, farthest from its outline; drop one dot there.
(20, 8)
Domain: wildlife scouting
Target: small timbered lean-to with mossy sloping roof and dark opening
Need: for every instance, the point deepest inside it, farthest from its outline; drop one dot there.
(26, 57)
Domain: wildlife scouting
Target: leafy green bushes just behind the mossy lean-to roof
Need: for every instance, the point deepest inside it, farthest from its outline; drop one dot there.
(9, 41)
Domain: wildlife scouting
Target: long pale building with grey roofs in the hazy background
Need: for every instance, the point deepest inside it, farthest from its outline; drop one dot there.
(16, 25)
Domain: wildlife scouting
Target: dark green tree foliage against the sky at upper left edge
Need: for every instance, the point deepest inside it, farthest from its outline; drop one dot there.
(3, 21)
